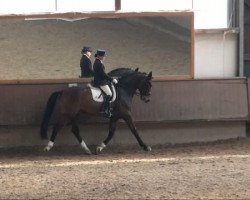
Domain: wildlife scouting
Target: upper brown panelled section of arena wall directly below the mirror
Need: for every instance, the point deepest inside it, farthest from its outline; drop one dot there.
(199, 100)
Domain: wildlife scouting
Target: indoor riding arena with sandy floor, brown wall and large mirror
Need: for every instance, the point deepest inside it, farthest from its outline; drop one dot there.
(196, 126)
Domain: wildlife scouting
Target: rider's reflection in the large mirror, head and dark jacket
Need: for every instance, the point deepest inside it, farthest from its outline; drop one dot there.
(85, 62)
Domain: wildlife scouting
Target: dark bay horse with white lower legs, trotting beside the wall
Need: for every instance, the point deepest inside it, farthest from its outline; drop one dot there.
(73, 101)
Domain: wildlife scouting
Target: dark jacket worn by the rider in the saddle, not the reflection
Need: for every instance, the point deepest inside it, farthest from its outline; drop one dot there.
(100, 76)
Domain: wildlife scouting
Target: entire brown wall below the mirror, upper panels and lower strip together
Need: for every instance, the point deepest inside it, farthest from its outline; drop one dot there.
(179, 112)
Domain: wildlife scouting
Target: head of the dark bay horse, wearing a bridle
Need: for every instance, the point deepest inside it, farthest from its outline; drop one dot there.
(144, 88)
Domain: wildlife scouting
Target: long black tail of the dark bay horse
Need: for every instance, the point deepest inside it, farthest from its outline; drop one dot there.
(48, 112)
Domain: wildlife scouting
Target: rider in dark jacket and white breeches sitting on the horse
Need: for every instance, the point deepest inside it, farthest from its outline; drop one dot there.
(102, 80)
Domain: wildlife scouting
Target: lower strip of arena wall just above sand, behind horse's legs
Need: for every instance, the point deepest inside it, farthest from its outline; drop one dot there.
(153, 134)
